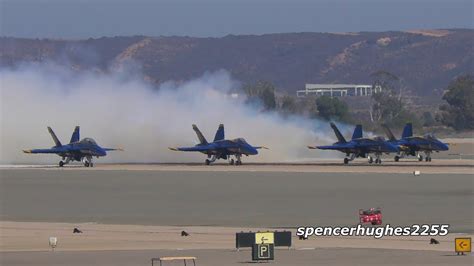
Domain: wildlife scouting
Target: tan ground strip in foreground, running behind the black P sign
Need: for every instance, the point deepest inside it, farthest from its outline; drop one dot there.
(32, 236)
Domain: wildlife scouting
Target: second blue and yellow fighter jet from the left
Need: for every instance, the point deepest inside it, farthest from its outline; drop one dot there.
(221, 148)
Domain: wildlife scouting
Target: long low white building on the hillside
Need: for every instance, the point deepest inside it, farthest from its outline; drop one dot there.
(338, 90)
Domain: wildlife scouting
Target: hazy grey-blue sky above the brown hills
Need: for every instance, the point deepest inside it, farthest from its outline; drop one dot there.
(213, 18)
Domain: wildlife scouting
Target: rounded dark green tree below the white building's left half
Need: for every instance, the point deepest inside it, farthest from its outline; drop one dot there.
(331, 108)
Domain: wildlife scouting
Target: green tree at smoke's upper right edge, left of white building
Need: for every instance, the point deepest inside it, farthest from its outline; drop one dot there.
(263, 92)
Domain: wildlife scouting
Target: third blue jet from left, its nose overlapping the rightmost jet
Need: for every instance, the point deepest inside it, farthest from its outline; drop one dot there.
(359, 146)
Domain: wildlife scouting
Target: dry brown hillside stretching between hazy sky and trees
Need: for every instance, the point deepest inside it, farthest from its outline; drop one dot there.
(427, 60)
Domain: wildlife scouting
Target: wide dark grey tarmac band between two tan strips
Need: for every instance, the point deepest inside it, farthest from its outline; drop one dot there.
(241, 199)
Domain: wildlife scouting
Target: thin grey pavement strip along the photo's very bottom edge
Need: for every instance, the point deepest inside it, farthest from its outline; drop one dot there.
(229, 257)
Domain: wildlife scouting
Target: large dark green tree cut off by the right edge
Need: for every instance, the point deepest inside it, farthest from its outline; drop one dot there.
(458, 113)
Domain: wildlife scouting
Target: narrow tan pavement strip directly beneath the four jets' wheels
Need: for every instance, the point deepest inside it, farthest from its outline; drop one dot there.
(405, 166)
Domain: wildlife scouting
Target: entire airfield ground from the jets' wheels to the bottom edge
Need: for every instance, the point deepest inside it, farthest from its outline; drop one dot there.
(132, 212)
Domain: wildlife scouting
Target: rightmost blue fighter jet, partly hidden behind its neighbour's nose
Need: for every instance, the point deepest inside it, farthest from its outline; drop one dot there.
(413, 145)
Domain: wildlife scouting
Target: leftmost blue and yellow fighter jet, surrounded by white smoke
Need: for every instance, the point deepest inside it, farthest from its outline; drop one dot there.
(77, 150)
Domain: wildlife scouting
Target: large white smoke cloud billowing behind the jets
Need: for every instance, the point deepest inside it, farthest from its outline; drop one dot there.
(122, 111)
